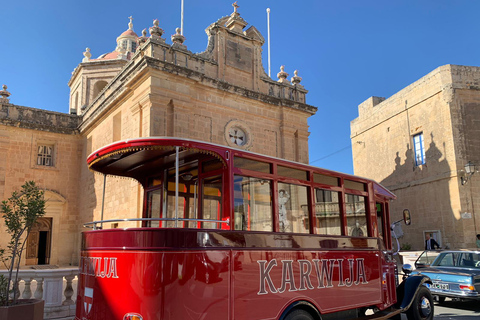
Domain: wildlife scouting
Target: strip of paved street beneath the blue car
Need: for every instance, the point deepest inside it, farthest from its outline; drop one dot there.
(457, 310)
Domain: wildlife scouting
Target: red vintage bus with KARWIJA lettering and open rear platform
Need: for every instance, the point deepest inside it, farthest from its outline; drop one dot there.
(230, 234)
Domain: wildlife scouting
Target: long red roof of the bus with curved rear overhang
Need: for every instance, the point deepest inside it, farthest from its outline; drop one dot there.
(137, 158)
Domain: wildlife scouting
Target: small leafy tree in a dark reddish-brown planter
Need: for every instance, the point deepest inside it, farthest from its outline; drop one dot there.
(20, 213)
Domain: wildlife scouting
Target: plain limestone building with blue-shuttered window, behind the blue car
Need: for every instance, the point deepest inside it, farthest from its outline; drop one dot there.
(417, 143)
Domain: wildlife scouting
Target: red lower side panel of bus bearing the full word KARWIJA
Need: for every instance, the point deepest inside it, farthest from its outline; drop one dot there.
(337, 280)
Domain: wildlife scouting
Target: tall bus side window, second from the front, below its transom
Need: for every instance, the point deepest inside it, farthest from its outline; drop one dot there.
(327, 212)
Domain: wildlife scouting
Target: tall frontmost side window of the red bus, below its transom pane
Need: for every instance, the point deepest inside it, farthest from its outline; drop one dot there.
(356, 215)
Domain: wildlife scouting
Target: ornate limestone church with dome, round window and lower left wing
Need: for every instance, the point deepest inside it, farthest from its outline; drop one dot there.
(145, 87)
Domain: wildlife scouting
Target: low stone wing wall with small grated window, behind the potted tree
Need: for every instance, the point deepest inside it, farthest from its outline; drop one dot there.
(21, 131)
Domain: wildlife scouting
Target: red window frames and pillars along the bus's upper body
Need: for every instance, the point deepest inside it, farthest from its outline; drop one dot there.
(228, 171)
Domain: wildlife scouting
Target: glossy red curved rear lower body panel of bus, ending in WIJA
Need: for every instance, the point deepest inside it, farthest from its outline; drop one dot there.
(157, 285)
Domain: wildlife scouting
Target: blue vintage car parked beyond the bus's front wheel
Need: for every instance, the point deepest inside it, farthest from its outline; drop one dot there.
(454, 274)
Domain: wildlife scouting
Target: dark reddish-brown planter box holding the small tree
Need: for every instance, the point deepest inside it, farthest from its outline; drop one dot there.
(26, 309)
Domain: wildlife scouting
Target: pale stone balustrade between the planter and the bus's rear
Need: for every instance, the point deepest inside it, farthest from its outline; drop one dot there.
(56, 287)
